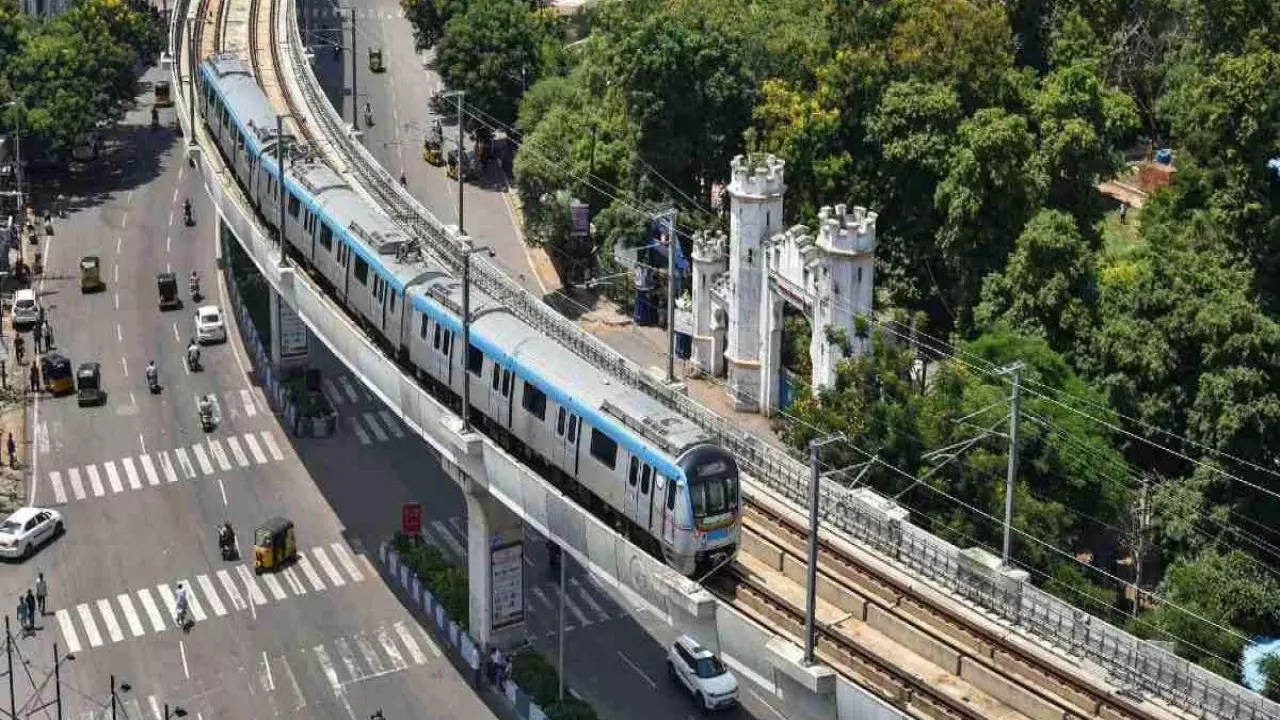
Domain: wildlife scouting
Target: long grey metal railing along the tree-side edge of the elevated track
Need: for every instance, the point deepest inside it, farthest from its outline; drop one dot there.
(1137, 666)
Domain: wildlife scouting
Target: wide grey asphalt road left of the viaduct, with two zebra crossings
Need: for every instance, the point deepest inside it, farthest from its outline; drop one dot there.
(143, 490)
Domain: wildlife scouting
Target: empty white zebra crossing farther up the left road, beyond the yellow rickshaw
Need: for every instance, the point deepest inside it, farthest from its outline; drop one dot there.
(150, 470)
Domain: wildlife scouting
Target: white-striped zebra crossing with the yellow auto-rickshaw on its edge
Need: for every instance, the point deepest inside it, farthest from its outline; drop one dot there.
(213, 595)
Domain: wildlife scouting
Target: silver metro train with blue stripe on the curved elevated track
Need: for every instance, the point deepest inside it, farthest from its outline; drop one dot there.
(620, 453)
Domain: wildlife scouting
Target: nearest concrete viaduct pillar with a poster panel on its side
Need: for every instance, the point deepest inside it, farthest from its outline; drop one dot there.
(496, 569)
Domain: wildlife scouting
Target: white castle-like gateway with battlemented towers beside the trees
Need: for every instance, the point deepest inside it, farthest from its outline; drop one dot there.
(739, 291)
